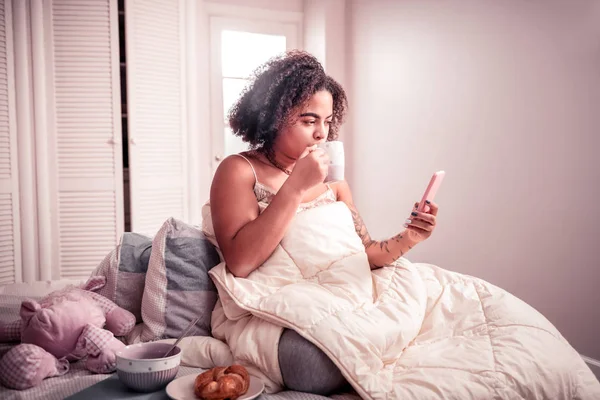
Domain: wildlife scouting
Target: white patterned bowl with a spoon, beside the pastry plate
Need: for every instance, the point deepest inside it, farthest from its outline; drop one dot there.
(143, 368)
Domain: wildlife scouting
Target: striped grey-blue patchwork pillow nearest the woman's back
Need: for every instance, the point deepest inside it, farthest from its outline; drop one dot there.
(178, 287)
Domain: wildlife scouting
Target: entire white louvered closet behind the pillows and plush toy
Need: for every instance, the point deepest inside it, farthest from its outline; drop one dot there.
(61, 164)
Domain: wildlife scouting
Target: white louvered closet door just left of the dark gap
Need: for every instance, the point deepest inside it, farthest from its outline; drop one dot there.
(87, 131)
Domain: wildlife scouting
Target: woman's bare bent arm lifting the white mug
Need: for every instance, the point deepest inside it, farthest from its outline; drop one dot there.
(245, 236)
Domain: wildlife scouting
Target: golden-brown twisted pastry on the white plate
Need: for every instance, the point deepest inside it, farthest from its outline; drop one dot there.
(222, 383)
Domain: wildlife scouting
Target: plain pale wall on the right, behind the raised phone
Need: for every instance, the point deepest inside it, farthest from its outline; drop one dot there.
(505, 96)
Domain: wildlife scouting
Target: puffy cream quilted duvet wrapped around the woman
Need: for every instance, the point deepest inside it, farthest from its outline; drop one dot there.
(407, 331)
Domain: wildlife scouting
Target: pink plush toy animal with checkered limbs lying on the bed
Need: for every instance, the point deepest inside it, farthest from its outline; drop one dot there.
(66, 325)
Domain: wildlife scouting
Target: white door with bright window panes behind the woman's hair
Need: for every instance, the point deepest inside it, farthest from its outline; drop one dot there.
(237, 48)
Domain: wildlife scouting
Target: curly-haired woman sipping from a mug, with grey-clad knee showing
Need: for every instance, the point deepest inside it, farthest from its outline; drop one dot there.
(290, 108)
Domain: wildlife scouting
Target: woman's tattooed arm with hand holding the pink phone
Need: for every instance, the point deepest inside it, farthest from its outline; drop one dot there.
(383, 252)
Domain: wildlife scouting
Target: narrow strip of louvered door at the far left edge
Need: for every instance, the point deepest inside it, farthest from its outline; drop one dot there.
(10, 249)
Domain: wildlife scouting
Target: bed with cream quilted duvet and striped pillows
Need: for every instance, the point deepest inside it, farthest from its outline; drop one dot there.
(458, 337)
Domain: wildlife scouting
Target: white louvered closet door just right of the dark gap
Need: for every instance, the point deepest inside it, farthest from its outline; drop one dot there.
(156, 112)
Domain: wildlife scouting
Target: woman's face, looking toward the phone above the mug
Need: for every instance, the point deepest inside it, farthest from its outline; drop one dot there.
(308, 127)
